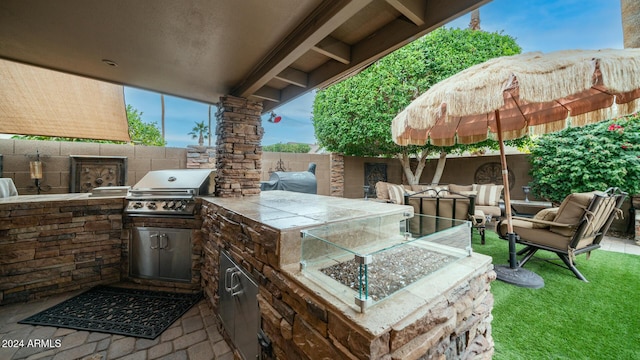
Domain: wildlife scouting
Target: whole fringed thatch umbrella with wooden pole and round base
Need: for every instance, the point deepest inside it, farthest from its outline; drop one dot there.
(512, 96)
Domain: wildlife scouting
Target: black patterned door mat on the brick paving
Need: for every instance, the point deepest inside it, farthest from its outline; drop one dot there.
(131, 312)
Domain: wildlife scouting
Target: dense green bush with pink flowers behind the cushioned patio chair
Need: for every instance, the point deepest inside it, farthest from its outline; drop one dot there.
(593, 157)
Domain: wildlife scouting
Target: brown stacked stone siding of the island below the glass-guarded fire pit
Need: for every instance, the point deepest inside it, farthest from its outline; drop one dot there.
(301, 325)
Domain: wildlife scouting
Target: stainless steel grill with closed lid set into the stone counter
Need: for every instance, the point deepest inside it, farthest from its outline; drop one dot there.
(168, 193)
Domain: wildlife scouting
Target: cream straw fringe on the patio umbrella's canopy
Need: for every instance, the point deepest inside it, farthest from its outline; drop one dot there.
(559, 75)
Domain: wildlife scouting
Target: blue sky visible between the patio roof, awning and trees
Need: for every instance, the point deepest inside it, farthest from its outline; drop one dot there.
(537, 25)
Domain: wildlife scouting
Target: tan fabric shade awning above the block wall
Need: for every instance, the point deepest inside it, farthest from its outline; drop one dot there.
(37, 101)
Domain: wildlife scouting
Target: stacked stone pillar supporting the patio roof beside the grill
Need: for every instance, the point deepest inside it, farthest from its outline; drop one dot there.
(238, 151)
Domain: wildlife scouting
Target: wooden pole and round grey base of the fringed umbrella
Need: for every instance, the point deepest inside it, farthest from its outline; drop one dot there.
(512, 274)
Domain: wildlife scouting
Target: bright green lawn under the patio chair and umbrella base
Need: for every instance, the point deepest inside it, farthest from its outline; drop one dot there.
(568, 318)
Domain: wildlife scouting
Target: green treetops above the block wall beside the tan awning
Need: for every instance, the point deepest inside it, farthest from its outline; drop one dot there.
(139, 132)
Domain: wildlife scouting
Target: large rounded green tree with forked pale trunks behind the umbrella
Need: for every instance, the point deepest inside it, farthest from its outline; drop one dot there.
(354, 116)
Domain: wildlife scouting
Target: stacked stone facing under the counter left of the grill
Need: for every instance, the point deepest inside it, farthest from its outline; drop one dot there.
(51, 247)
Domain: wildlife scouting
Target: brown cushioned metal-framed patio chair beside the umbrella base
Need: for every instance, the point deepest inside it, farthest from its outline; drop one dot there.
(574, 228)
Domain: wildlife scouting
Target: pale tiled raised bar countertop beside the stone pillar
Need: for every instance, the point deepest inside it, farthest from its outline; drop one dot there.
(285, 210)
